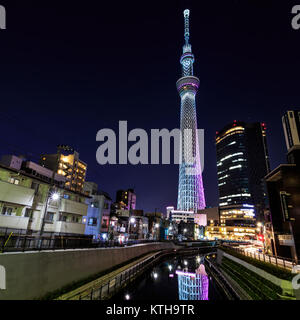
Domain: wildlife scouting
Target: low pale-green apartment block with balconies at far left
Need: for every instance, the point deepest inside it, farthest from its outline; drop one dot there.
(27, 205)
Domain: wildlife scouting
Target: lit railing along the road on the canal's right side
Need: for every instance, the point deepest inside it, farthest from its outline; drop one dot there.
(281, 262)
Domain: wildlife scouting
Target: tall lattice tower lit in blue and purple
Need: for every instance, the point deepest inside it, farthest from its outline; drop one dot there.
(190, 187)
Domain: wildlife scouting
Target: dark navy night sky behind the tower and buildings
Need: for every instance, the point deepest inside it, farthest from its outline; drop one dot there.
(71, 68)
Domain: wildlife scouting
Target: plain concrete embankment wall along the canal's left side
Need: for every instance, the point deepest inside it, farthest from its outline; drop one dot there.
(31, 275)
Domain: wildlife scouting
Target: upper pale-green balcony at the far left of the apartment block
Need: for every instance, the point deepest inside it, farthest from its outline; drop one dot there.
(17, 194)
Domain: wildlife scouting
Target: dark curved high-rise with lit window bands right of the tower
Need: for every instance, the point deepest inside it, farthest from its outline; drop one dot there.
(242, 163)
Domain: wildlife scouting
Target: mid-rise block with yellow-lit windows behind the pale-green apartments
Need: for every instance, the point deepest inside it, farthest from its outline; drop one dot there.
(68, 165)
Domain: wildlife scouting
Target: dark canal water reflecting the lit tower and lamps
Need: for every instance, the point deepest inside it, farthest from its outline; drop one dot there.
(180, 277)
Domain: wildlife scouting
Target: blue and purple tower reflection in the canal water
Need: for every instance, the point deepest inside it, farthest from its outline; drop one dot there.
(193, 286)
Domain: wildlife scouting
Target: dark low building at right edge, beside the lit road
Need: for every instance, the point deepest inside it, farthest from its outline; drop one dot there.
(283, 227)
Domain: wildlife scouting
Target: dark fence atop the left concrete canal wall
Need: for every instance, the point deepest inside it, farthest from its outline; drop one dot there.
(11, 242)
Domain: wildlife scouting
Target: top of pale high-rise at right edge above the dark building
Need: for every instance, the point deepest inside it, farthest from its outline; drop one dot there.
(291, 128)
